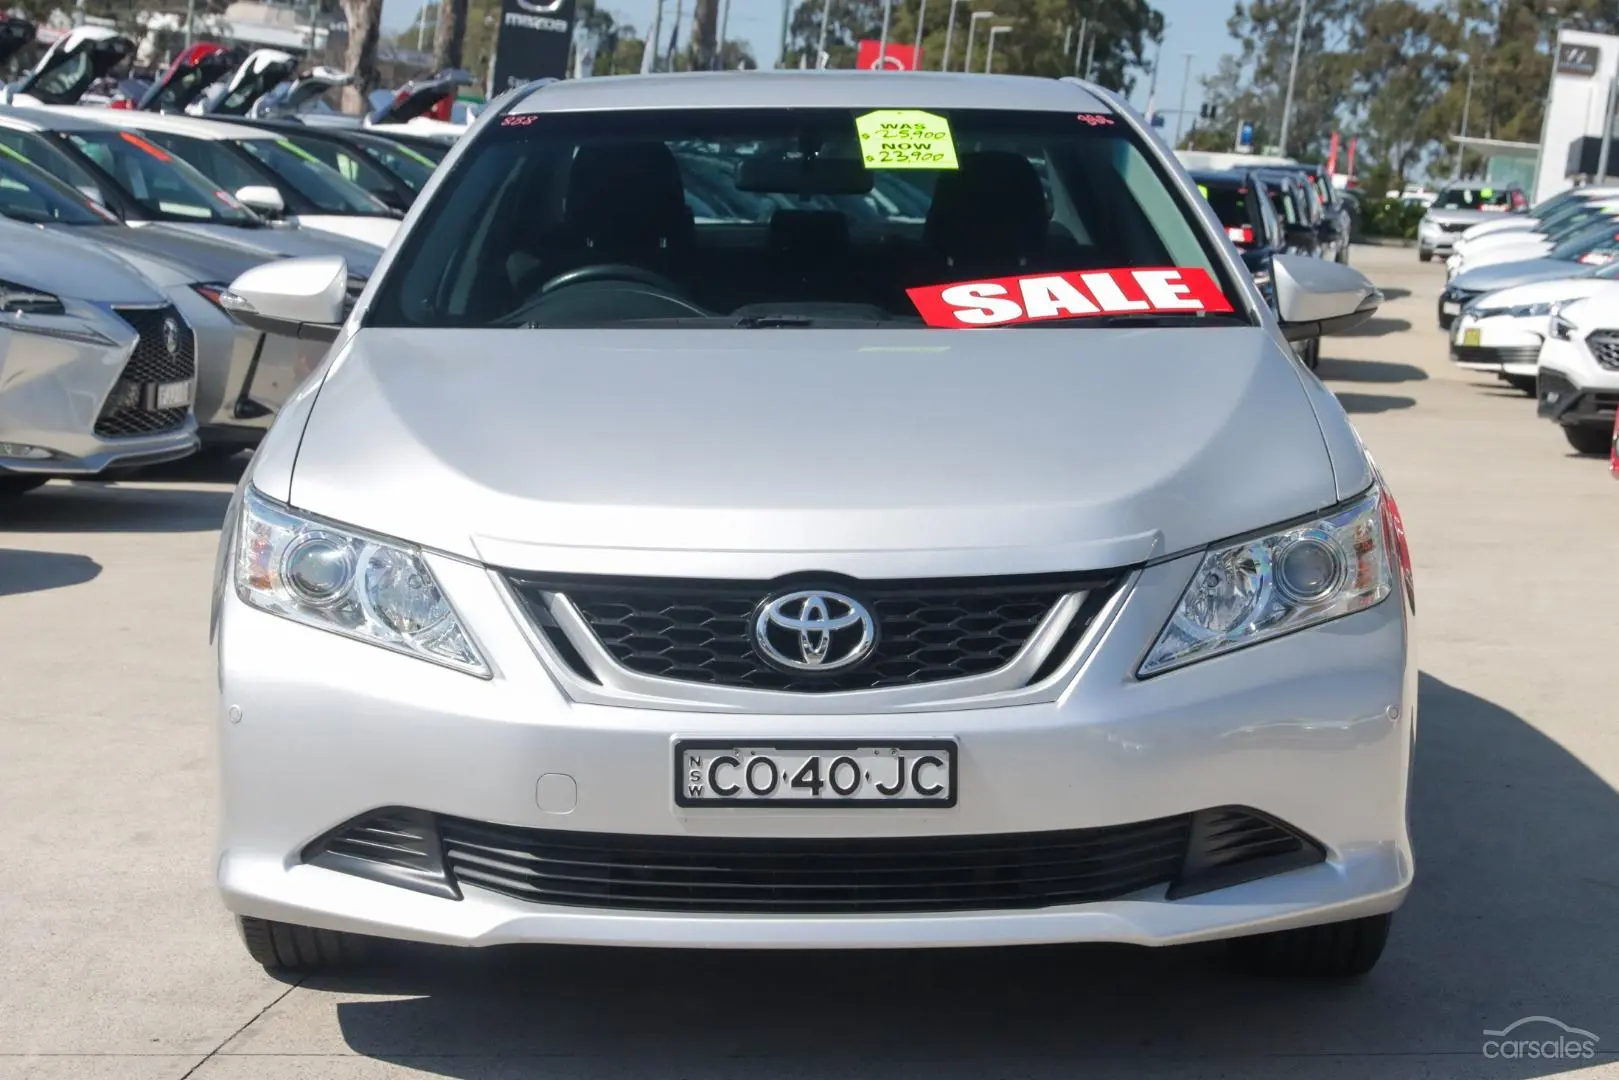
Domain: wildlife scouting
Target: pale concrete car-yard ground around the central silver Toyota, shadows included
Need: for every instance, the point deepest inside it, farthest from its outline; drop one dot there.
(119, 964)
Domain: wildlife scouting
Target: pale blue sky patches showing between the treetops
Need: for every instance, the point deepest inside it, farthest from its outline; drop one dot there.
(1192, 27)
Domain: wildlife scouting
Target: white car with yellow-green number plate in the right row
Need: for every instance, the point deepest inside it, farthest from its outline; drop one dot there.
(1502, 333)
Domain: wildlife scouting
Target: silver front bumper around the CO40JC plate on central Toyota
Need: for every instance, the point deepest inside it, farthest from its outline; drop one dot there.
(1314, 729)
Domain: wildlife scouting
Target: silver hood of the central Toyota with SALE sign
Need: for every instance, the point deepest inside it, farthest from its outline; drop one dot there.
(759, 453)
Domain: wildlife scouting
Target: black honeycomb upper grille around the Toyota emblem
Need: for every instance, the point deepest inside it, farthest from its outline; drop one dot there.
(702, 632)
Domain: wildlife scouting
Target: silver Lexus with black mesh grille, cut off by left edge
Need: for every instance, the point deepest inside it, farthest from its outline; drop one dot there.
(98, 368)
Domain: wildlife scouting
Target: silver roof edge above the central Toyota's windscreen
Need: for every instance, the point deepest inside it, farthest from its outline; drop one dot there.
(815, 90)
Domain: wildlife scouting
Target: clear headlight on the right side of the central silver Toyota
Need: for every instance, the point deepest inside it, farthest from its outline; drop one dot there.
(1272, 585)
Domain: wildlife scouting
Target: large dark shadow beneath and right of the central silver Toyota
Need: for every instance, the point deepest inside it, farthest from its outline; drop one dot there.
(1513, 917)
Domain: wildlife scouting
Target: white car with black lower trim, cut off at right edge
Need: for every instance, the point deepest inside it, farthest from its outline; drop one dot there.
(1579, 372)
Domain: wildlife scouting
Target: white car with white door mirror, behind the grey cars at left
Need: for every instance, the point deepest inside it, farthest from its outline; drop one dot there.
(263, 171)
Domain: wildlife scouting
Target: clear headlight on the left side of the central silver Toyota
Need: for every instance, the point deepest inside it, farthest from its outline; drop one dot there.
(336, 579)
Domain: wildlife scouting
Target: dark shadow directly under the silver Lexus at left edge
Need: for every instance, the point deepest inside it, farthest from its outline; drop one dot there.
(98, 508)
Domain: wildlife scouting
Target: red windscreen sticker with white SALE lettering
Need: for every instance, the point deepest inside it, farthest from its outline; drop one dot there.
(1074, 294)
